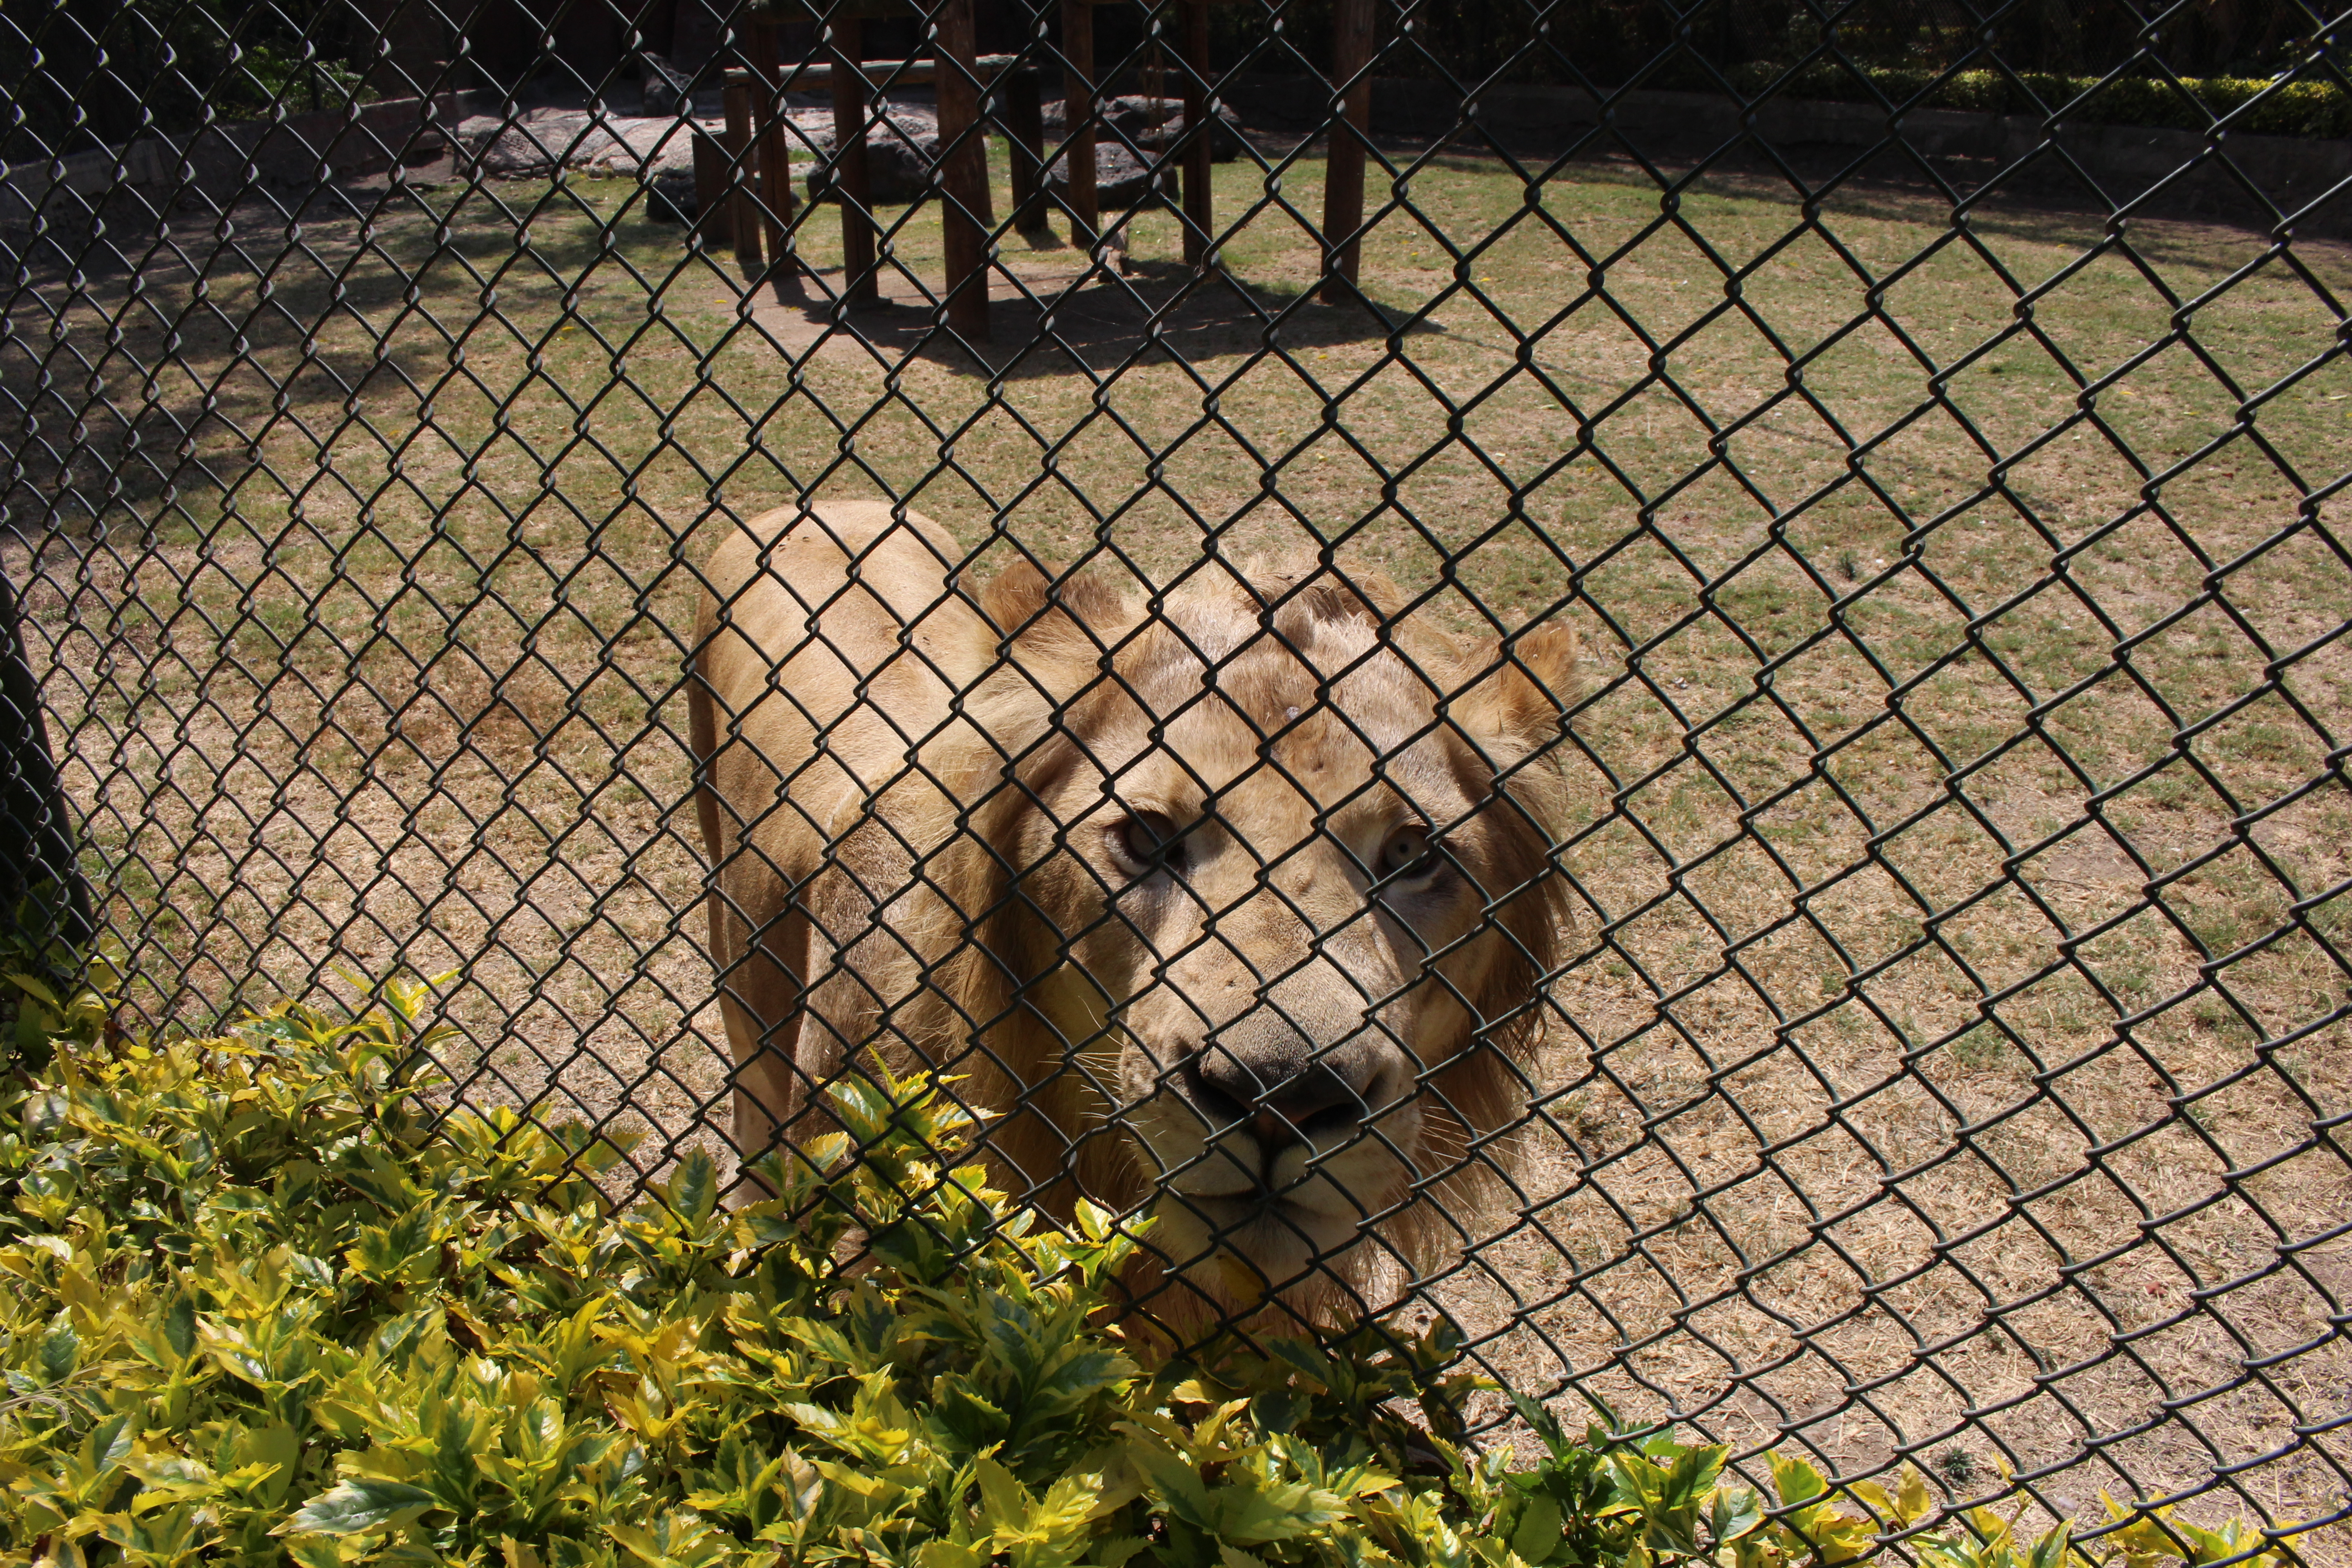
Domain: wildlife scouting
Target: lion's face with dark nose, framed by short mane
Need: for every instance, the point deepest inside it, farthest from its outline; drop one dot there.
(1288, 920)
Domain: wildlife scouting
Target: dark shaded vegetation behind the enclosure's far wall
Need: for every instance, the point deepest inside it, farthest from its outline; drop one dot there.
(102, 72)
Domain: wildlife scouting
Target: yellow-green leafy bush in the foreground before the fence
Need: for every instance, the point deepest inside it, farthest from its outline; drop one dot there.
(262, 1308)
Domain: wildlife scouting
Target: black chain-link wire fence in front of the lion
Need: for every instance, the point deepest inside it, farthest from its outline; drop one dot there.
(1664, 681)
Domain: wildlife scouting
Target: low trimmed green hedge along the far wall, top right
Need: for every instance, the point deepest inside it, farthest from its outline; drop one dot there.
(2292, 109)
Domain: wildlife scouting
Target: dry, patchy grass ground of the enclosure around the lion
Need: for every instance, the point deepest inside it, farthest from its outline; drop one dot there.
(1937, 725)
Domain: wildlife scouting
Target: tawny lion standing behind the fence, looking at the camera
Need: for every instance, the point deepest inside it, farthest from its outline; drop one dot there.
(1231, 906)
